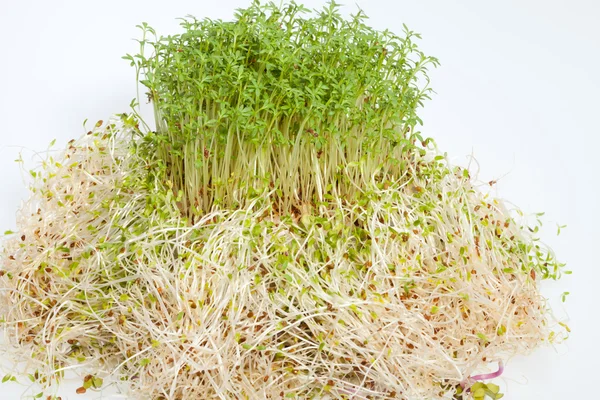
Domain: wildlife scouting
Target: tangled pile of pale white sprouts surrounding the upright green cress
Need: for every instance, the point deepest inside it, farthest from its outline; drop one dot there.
(400, 293)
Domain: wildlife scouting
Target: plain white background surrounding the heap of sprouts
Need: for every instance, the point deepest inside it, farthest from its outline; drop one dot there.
(518, 87)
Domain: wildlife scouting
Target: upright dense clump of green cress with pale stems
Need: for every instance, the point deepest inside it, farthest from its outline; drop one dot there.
(242, 97)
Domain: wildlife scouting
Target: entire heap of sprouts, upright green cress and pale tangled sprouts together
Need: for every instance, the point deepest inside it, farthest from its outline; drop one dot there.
(284, 232)
